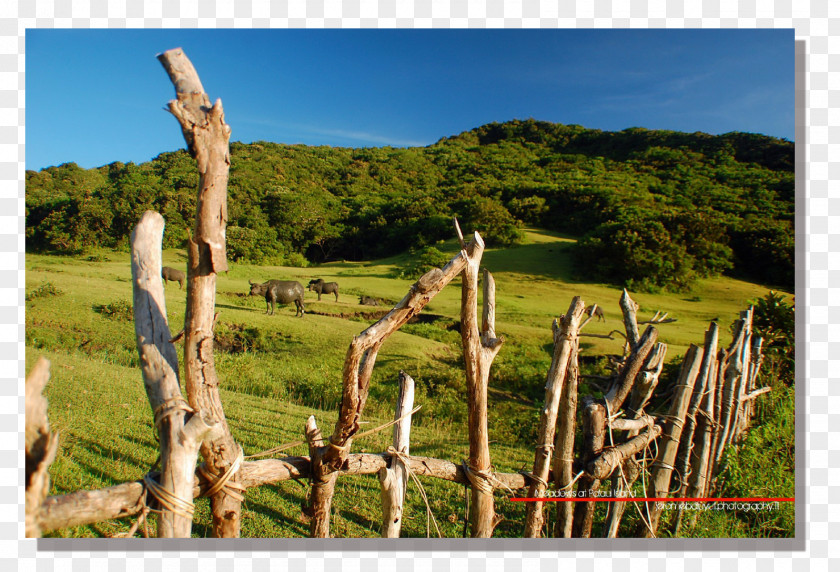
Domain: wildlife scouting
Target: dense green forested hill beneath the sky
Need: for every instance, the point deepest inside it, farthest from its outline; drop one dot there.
(656, 208)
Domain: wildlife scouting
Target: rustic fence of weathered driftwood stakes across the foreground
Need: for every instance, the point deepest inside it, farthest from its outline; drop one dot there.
(710, 403)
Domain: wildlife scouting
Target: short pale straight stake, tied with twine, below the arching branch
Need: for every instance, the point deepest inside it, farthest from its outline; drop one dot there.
(393, 479)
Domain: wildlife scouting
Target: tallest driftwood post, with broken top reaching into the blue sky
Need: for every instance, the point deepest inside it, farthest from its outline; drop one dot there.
(207, 137)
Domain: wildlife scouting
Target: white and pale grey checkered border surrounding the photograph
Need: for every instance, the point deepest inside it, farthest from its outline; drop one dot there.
(817, 25)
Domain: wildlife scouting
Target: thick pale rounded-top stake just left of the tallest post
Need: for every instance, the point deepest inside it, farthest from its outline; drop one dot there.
(180, 434)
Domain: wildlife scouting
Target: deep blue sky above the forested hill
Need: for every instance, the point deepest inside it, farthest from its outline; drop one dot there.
(97, 96)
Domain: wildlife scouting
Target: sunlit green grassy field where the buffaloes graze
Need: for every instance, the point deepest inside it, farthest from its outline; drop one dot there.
(277, 370)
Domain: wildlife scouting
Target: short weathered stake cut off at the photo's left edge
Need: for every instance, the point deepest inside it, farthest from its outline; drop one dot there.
(41, 446)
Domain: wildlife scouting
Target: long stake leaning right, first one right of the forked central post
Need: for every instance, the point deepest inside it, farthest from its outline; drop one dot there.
(565, 338)
